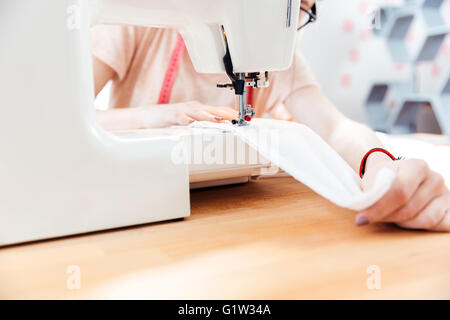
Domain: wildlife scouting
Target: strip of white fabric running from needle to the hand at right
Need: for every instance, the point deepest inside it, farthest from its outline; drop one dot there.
(309, 159)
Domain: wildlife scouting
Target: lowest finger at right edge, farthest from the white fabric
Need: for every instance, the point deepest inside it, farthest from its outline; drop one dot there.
(435, 216)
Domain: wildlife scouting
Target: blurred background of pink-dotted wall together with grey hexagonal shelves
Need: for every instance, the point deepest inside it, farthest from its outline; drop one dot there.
(382, 62)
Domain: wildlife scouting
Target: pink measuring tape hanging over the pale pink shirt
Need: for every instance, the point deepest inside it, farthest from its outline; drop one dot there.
(172, 71)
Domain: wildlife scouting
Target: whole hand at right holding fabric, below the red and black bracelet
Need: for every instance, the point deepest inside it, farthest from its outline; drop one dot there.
(418, 198)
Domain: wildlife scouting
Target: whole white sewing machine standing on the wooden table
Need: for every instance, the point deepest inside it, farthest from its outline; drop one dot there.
(60, 174)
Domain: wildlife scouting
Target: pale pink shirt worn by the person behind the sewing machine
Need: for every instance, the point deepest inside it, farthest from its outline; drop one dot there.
(140, 55)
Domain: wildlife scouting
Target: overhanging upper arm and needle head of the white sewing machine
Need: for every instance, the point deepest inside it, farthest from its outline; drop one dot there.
(260, 33)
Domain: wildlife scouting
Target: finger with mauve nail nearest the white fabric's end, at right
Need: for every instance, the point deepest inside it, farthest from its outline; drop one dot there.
(410, 175)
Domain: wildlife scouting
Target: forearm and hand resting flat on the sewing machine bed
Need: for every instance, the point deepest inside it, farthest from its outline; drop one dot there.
(160, 116)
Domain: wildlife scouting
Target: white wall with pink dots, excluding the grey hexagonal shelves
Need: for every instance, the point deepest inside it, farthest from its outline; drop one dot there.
(347, 58)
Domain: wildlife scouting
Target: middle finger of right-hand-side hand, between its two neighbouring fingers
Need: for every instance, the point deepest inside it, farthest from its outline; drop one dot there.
(432, 187)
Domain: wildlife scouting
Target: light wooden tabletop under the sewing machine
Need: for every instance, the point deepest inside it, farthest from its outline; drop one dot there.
(272, 238)
